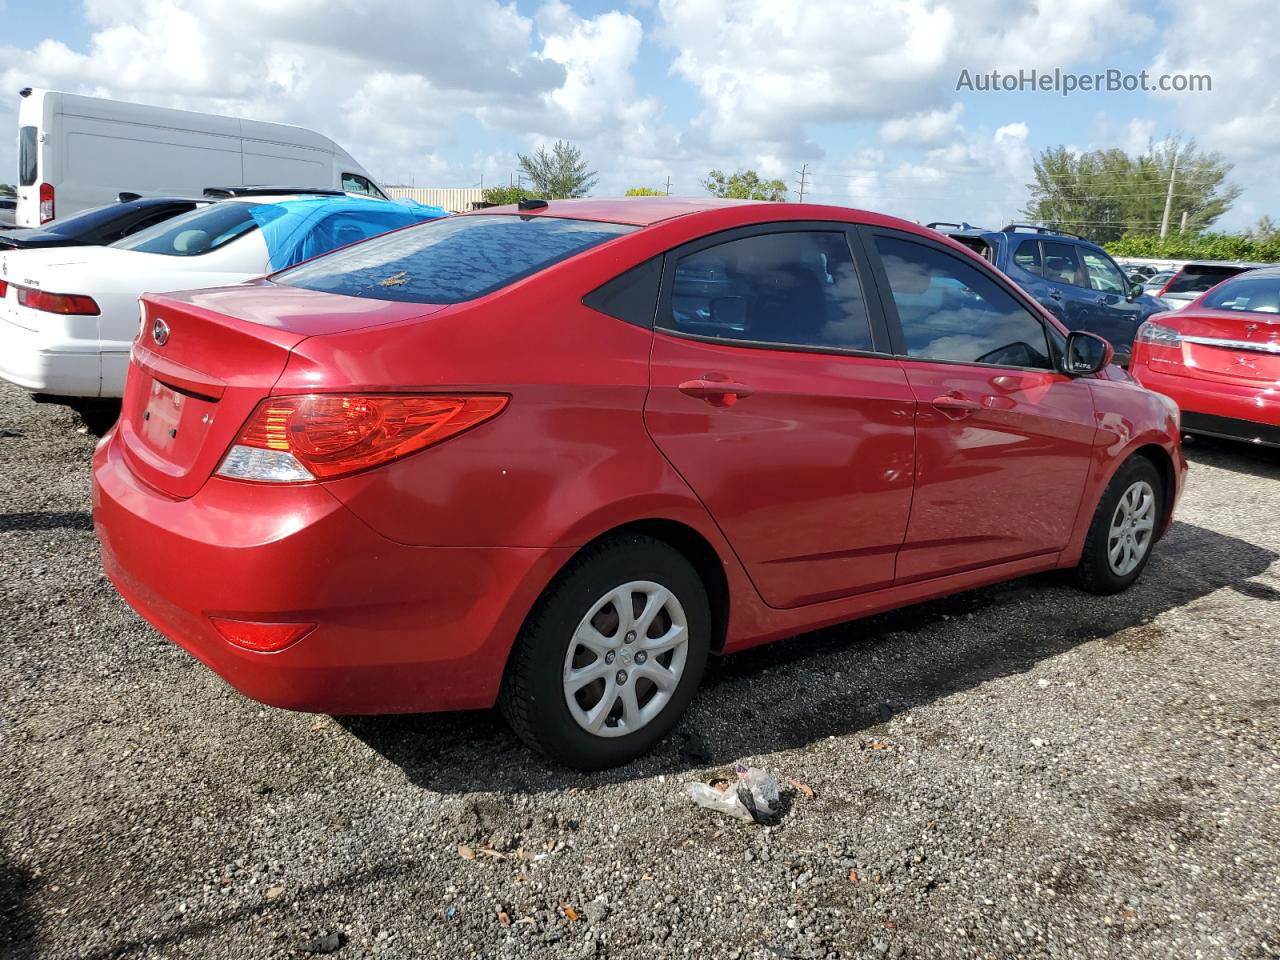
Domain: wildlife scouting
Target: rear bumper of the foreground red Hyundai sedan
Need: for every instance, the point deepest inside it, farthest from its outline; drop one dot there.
(399, 629)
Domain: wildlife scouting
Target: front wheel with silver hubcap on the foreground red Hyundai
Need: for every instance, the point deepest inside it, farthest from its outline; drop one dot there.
(1123, 531)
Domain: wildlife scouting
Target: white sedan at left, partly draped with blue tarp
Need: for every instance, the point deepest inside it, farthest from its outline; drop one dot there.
(68, 316)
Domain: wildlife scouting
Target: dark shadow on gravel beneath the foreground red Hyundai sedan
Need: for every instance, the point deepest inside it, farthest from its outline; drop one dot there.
(845, 680)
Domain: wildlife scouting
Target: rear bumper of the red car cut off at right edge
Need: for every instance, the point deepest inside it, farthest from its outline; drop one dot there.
(1235, 412)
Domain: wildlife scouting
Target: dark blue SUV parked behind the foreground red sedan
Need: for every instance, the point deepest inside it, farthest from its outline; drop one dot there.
(1073, 280)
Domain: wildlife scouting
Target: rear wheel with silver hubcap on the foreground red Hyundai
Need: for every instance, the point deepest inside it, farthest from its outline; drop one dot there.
(592, 684)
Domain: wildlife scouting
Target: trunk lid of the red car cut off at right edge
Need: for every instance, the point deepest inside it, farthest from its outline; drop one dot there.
(1231, 345)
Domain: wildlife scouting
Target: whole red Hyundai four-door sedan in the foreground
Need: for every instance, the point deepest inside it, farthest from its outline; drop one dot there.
(555, 456)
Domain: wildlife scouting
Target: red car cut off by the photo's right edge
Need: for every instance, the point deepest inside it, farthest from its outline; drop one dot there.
(1219, 358)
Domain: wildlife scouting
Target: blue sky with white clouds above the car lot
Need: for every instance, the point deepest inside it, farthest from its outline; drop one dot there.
(862, 94)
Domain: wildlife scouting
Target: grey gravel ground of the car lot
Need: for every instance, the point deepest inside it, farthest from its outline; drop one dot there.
(1021, 771)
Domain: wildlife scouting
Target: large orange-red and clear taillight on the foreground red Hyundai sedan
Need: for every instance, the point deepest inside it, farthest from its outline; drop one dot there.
(318, 437)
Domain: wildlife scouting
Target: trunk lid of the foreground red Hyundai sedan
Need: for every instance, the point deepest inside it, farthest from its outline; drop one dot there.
(203, 363)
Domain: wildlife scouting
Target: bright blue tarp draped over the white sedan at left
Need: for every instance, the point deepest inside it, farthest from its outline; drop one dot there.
(300, 230)
